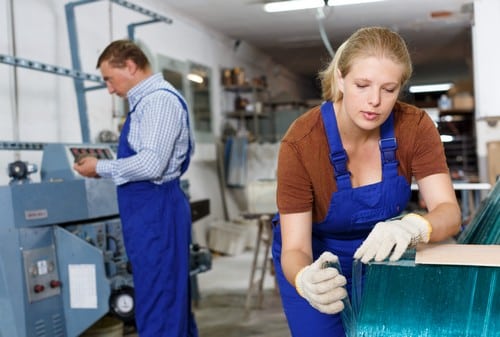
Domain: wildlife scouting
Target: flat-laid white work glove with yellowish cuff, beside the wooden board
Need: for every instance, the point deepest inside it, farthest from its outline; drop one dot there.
(397, 234)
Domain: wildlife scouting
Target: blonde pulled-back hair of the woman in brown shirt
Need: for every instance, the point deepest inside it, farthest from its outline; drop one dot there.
(365, 42)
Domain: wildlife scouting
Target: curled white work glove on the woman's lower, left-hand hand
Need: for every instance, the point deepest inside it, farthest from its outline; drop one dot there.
(322, 286)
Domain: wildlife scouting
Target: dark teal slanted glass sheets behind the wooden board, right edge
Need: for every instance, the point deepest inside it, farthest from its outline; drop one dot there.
(485, 226)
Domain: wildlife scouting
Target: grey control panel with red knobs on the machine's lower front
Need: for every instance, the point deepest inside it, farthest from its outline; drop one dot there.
(42, 277)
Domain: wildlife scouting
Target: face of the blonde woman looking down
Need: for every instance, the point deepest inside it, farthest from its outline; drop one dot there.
(370, 90)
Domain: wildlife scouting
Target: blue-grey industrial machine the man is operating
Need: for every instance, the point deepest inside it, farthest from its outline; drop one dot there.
(63, 263)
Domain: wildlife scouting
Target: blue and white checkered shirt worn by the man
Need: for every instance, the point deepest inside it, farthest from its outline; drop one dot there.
(159, 134)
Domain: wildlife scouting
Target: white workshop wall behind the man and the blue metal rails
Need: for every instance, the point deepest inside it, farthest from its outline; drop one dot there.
(42, 107)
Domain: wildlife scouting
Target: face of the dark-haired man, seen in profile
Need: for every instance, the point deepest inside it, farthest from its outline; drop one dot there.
(118, 80)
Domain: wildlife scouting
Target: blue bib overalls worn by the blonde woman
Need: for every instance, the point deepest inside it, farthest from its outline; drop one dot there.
(352, 214)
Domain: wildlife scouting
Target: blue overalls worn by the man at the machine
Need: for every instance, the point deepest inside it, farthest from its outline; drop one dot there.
(156, 222)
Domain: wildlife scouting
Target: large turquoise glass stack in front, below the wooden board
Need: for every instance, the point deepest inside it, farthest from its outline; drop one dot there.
(402, 299)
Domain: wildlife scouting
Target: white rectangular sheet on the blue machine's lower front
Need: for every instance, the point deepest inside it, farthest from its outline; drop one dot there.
(82, 286)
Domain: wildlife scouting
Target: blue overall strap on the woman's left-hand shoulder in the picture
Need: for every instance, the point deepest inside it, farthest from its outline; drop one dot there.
(338, 155)
